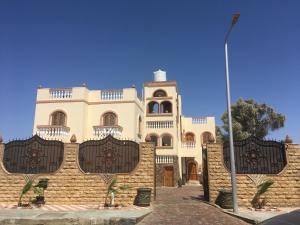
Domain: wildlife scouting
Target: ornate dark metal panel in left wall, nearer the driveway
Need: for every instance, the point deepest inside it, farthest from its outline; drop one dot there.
(108, 155)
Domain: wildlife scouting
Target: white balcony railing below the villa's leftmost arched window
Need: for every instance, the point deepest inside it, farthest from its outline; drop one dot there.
(52, 131)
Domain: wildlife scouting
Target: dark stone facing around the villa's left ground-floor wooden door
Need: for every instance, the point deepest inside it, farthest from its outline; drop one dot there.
(160, 168)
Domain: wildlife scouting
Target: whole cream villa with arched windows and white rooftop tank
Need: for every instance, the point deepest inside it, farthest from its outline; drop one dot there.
(155, 116)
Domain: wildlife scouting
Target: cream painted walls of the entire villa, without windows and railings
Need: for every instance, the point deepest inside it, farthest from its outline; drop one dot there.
(84, 109)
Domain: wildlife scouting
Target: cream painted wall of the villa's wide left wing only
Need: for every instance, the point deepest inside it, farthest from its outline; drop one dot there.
(84, 109)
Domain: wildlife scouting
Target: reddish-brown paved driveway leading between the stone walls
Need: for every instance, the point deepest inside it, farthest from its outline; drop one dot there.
(185, 206)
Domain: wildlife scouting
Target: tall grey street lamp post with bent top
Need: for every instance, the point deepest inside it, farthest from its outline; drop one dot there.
(232, 161)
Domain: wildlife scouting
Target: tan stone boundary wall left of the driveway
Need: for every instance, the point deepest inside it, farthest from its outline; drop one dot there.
(69, 185)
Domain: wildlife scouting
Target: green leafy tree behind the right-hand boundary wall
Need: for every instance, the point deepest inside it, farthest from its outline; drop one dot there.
(251, 118)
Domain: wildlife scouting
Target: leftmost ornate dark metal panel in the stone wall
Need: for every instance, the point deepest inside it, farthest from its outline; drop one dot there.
(33, 156)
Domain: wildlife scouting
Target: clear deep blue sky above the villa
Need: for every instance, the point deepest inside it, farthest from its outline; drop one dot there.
(114, 44)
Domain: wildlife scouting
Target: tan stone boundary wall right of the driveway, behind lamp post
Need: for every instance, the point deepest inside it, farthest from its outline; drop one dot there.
(285, 192)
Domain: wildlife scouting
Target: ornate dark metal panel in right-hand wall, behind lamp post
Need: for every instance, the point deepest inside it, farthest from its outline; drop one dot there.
(255, 156)
